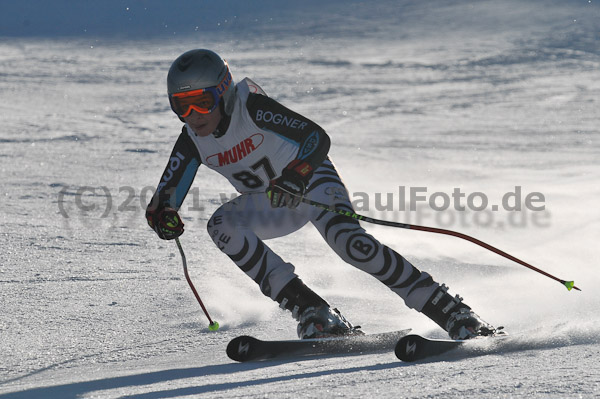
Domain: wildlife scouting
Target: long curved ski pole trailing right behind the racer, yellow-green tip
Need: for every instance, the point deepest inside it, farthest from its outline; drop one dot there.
(569, 284)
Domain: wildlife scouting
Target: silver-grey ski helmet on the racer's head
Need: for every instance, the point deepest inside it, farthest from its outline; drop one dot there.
(198, 70)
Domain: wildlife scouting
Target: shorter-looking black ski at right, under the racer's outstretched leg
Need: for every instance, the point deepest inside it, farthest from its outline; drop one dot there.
(413, 347)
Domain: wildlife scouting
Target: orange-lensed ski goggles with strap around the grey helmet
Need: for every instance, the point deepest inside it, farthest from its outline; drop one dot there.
(203, 101)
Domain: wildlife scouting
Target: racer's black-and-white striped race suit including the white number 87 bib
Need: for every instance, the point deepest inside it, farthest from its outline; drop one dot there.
(261, 138)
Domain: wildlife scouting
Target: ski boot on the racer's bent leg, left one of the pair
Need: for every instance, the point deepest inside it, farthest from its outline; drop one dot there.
(316, 319)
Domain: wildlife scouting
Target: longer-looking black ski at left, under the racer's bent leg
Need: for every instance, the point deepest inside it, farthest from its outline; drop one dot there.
(246, 348)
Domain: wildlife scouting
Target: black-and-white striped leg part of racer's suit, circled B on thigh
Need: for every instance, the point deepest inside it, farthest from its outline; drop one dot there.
(240, 226)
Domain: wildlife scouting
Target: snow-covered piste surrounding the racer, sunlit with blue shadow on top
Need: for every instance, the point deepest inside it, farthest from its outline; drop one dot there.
(482, 96)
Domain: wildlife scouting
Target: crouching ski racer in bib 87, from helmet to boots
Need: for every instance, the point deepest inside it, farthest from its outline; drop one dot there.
(274, 157)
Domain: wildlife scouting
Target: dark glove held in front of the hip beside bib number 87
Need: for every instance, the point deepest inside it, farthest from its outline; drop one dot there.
(288, 189)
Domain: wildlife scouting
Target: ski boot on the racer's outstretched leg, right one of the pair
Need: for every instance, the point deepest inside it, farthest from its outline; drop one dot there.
(456, 317)
